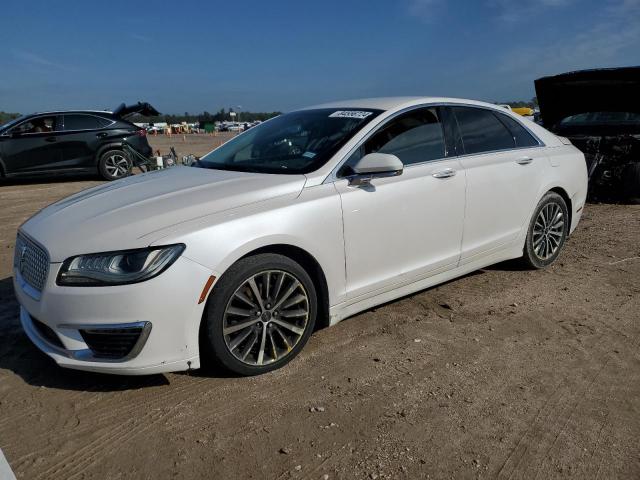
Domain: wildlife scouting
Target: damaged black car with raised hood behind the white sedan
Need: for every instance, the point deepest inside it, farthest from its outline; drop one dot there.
(599, 111)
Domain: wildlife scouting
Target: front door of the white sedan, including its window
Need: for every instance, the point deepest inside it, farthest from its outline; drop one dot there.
(402, 228)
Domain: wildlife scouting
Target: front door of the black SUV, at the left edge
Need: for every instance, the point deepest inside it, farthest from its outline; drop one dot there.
(32, 146)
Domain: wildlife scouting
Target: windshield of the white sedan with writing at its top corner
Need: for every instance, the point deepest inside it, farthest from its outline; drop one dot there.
(298, 142)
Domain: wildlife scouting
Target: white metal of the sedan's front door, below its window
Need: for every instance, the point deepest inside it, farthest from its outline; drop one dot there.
(410, 224)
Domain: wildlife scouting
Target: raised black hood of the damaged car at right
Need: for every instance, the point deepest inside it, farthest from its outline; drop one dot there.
(602, 90)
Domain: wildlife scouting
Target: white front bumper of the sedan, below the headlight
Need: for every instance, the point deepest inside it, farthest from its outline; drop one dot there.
(163, 312)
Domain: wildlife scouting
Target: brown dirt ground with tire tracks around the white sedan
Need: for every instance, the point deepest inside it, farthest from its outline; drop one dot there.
(505, 373)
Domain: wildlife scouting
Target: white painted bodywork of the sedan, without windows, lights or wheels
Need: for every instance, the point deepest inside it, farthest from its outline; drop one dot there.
(373, 243)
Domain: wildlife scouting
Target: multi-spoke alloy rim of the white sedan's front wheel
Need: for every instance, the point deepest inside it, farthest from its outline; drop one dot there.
(266, 317)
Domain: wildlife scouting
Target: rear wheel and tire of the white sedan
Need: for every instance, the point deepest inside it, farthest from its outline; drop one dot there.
(548, 231)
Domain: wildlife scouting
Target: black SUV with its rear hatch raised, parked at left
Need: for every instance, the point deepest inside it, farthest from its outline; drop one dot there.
(73, 141)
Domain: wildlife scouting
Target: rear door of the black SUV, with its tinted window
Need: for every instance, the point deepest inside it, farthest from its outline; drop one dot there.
(80, 139)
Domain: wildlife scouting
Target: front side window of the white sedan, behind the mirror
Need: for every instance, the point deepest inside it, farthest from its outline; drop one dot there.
(414, 137)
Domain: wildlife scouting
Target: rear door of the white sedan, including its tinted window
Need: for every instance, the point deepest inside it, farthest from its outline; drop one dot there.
(504, 165)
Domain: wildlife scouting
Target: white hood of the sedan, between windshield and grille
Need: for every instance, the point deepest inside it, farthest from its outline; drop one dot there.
(133, 212)
